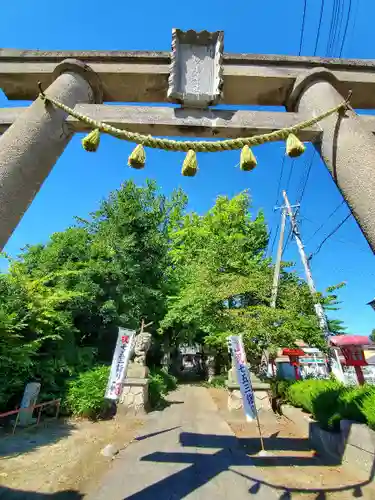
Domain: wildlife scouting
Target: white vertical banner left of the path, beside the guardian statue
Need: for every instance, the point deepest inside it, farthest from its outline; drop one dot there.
(120, 361)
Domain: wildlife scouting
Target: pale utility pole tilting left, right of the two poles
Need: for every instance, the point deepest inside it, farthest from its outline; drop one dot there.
(318, 307)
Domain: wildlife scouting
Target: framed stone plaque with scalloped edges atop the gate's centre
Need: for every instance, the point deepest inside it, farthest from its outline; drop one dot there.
(196, 72)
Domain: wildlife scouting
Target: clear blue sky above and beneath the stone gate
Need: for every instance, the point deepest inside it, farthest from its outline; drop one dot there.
(79, 180)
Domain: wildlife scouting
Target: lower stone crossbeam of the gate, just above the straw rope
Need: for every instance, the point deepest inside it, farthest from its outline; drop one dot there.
(168, 121)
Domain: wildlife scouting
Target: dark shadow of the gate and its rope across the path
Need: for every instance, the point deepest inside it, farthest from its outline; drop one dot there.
(204, 467)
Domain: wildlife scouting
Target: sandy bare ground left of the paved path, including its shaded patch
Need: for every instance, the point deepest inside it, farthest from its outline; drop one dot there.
(59, 456)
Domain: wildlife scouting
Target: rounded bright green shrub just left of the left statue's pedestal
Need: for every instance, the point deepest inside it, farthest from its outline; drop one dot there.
(85, 395)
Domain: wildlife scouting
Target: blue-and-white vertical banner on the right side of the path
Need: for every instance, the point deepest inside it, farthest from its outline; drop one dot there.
(243, 376)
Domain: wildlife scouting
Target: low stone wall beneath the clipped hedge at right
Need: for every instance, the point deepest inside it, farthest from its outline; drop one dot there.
(354, 444)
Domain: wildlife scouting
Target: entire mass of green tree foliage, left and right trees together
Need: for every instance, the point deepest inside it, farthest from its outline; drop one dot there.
(139, 256)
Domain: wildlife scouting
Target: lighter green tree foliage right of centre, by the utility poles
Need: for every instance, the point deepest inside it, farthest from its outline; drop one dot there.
(224, 283)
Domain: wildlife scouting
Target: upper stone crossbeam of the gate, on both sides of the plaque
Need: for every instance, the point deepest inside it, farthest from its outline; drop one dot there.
(143, 76)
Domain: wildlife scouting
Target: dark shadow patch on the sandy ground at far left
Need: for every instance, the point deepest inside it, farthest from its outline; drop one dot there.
(26, 440)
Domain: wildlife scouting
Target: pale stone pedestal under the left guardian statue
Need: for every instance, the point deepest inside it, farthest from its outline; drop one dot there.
(134, 396)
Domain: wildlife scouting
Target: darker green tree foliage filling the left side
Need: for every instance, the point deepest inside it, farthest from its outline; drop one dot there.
(61, 303)
